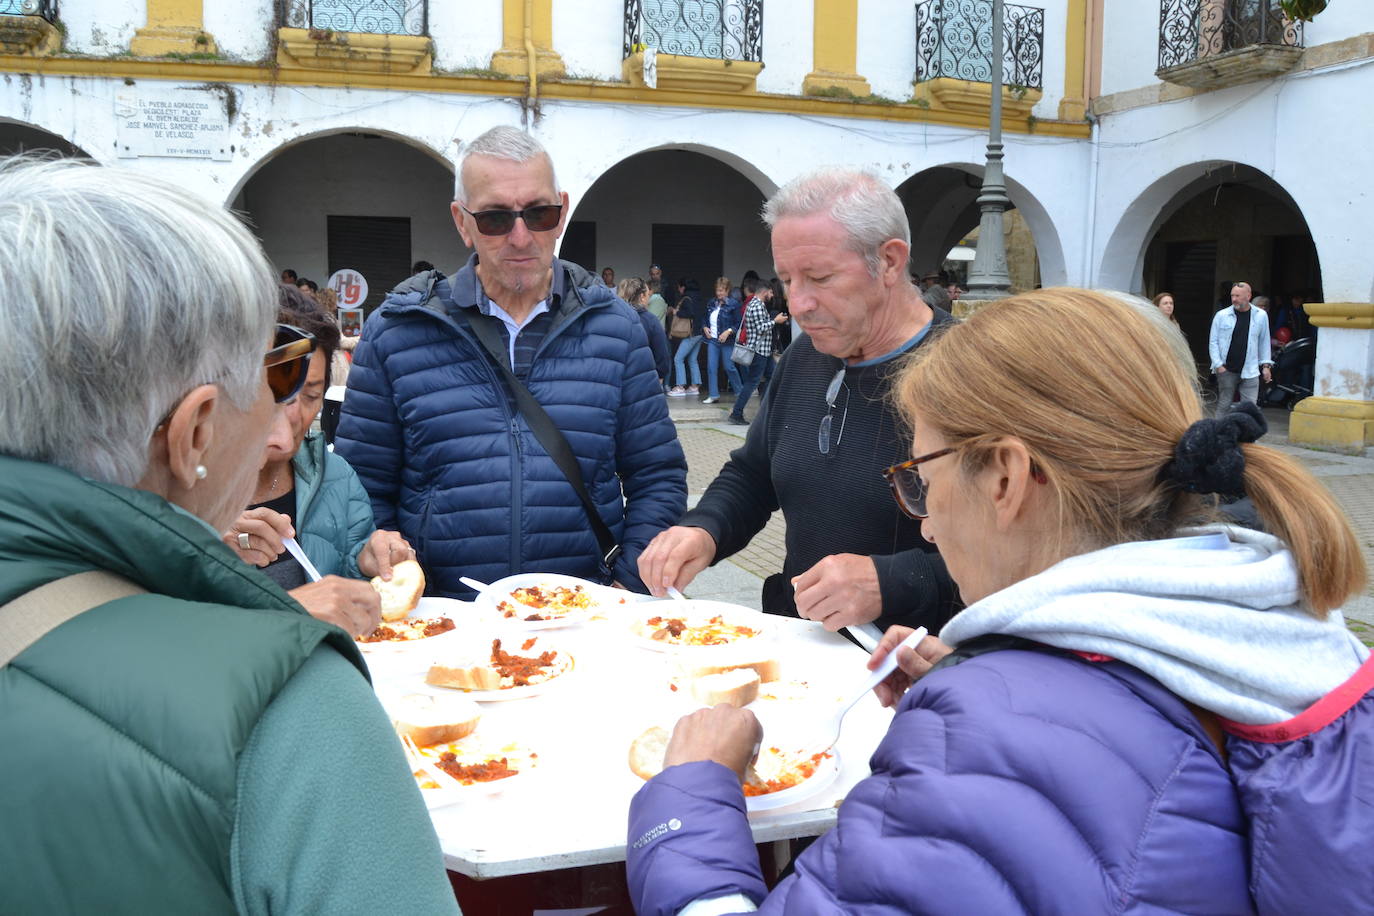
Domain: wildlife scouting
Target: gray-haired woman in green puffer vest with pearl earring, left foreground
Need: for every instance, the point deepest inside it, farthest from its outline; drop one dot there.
(192, 741)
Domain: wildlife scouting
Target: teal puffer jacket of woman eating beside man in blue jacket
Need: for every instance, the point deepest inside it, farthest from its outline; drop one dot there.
(333, 512)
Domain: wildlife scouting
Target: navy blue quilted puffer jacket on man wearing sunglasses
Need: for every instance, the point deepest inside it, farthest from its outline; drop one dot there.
(451, 465)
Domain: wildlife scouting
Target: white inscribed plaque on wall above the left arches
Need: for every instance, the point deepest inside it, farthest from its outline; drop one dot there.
(171, 123)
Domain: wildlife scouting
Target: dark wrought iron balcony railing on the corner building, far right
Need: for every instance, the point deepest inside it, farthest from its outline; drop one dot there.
(1196, 30)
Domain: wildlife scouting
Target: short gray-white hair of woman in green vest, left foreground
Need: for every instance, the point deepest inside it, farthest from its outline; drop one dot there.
(120, 295)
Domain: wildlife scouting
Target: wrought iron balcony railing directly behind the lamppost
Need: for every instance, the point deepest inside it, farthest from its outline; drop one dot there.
(954, 39)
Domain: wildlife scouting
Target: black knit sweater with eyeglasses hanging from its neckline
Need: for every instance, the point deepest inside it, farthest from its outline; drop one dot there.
(833, 503)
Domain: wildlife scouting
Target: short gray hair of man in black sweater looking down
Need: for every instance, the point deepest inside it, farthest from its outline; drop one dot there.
(859, 201)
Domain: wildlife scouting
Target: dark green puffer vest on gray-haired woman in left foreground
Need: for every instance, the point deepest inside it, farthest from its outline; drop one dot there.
(122, 730)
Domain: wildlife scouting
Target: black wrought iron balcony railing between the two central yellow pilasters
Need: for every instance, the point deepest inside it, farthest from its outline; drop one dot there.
(718, 30)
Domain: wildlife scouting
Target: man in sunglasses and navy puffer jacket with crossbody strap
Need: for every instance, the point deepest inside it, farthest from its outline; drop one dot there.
(436, 432)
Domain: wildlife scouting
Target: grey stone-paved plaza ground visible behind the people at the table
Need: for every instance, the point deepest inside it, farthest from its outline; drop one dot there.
(708, 442)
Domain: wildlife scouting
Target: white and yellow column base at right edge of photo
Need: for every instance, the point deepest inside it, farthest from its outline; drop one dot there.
(1340, 414)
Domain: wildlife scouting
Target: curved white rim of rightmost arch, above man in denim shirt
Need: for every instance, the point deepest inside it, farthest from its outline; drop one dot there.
(1122, 263)
